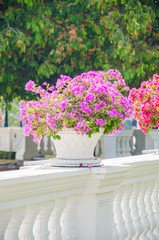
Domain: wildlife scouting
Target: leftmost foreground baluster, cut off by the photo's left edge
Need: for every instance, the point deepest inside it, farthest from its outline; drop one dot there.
(4, 220)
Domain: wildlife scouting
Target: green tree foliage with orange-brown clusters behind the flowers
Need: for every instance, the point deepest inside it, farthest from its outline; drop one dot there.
(42, 39)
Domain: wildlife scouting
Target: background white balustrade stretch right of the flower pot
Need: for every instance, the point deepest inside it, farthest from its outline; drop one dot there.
(126, 143)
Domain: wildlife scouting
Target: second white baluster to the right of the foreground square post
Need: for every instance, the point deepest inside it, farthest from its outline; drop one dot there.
(134, 211)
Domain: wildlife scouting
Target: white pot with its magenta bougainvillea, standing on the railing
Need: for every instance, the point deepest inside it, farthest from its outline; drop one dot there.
(76, 112)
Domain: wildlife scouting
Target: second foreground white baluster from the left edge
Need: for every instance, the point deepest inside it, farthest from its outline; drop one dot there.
(13, 227)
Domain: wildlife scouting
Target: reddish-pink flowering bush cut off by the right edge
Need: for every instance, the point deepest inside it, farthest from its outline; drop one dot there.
(145, 102)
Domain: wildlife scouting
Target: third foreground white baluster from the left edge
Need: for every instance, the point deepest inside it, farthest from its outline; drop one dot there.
(26, 229)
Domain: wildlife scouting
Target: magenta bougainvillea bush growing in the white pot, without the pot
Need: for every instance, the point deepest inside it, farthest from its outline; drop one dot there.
(85, 103)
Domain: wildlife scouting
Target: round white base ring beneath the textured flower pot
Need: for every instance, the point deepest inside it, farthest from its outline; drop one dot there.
(59, 162)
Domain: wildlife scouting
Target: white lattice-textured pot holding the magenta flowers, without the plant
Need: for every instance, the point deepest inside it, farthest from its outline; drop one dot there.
(75, 150)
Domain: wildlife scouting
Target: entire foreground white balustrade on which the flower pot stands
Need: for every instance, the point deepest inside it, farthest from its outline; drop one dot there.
(117, 201)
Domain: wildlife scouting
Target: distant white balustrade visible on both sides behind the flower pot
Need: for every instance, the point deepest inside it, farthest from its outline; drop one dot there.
(125, 143)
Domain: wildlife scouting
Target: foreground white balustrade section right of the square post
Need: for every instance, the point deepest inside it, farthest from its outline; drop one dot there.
(136, 202)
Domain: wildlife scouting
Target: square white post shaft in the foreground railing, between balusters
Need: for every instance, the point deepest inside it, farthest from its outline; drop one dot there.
(95, 216)
